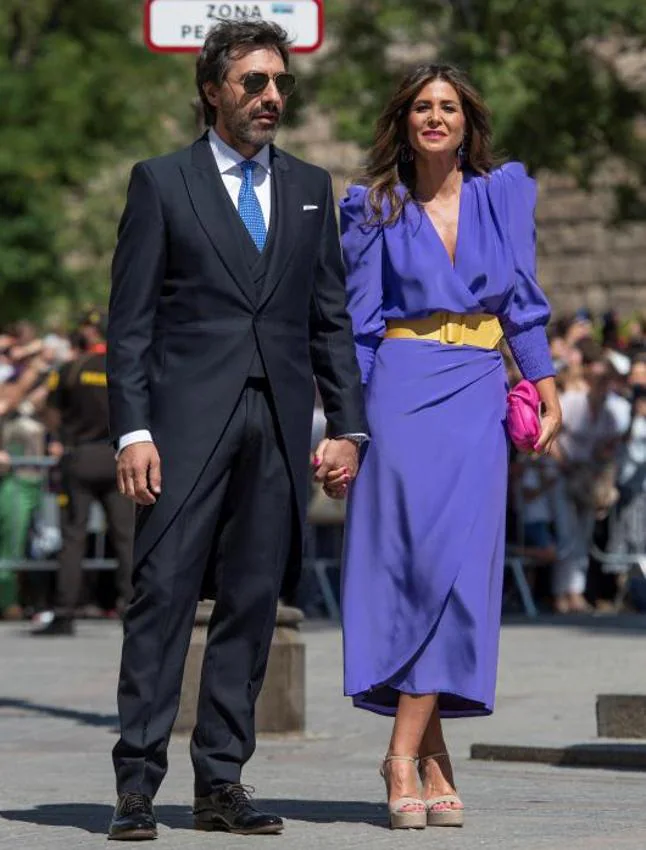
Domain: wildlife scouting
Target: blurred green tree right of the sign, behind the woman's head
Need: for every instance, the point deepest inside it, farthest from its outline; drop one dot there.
(547, 70)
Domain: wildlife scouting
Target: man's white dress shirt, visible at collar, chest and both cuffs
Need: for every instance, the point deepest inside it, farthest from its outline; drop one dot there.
(228, 162)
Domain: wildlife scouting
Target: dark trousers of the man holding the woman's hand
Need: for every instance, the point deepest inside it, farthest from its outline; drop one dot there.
(238, 523)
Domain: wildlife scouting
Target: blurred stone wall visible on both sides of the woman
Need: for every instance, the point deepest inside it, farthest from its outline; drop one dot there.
(582, 259)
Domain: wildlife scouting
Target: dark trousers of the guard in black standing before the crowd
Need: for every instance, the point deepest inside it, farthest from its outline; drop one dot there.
(89, 474)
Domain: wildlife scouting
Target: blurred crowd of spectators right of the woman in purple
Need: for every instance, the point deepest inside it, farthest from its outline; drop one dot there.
(581, 512)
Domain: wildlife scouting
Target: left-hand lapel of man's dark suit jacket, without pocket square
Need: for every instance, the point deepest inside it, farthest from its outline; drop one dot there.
(215, 212)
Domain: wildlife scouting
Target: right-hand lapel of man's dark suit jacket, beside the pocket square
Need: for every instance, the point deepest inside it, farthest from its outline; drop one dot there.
(286, 221)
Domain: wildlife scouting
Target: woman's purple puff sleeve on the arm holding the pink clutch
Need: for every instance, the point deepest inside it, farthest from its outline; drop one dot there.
(527, 310)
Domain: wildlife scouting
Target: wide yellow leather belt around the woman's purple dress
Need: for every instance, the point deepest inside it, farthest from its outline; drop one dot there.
(478, 329)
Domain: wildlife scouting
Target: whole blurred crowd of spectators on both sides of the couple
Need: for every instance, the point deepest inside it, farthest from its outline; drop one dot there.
(577, 516)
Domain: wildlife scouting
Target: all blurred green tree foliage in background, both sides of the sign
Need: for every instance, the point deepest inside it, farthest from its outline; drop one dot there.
(81, 98)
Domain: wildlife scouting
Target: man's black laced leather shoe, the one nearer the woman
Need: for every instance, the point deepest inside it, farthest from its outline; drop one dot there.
(229, 808)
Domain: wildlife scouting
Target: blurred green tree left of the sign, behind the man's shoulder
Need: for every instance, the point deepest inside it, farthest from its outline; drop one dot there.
(79, 94)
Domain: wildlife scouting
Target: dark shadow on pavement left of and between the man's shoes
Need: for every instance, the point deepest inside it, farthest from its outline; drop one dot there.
(92, 817)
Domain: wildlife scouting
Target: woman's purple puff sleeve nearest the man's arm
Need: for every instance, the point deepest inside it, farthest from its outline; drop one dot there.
(362, 245)
